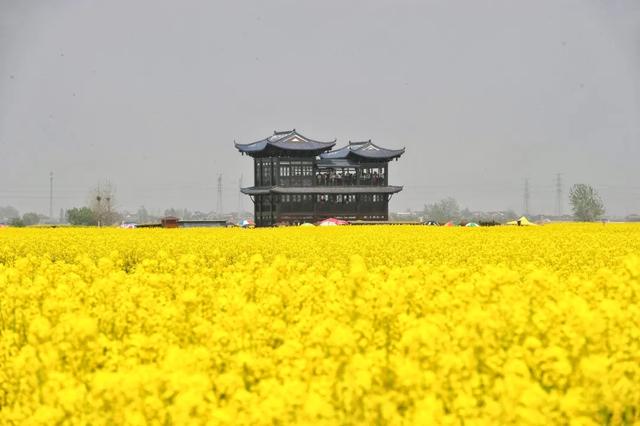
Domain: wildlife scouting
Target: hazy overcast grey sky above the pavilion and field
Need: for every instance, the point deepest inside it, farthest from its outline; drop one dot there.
(151, 94)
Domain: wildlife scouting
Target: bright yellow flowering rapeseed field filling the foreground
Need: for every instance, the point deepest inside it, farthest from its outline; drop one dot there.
(346, 325)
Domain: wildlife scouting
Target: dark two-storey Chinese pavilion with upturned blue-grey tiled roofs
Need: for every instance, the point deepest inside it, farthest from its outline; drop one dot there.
(298, 179)
